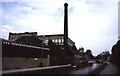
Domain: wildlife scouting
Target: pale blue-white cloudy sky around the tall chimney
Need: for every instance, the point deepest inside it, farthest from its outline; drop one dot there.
(92, 24)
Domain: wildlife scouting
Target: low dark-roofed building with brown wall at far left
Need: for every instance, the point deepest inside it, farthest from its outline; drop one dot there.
(21, 56)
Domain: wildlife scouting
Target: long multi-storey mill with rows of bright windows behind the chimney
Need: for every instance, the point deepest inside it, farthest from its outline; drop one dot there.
(58, 39)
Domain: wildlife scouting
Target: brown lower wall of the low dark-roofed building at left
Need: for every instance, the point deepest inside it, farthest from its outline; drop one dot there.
(22, 62)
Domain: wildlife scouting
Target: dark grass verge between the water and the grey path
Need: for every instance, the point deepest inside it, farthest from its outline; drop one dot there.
(97, 70)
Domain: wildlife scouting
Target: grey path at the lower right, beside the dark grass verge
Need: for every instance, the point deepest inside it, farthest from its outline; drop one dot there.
(110, 69)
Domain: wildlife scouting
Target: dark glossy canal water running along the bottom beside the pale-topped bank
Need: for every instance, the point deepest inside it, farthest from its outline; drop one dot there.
(84, 70)
